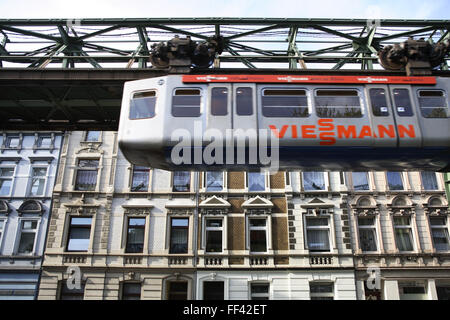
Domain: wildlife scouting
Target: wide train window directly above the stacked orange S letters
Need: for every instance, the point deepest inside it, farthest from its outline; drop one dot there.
(338, 104)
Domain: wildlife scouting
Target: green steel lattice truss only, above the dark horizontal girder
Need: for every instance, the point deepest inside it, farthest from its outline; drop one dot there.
(249, 42)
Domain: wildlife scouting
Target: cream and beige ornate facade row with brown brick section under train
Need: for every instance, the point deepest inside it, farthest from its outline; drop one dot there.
(120, 231)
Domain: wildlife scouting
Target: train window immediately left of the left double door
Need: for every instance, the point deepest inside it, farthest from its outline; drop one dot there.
(186, 103)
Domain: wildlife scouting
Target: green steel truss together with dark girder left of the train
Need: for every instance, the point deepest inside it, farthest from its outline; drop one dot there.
(66, 74)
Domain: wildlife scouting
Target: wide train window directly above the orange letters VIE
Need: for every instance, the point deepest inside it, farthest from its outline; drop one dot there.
(285, 103)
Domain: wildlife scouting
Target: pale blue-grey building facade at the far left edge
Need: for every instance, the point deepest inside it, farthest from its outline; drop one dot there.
(28, 164)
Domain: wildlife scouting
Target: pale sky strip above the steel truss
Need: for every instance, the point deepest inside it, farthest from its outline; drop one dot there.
(399, 9)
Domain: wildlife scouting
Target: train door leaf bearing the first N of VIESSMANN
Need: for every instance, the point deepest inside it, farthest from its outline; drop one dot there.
(381, 115)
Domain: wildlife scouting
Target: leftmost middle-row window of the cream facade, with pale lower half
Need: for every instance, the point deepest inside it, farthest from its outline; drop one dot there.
(79, 234)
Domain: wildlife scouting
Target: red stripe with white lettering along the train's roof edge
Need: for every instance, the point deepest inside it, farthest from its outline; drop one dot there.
(308, 79)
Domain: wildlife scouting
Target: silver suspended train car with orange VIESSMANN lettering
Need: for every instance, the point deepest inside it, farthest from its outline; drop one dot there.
(287, 122)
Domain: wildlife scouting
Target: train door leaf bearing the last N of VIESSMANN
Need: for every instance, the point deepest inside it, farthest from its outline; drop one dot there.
(408, 130)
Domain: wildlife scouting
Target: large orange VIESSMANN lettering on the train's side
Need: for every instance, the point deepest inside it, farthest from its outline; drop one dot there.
(327, 132)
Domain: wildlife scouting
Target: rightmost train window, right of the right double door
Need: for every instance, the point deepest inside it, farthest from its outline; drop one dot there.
(433, 104)
